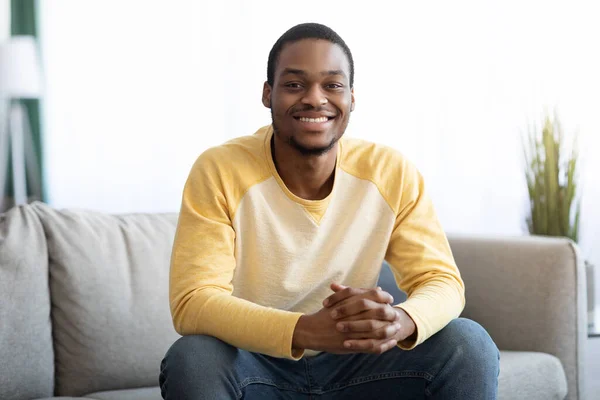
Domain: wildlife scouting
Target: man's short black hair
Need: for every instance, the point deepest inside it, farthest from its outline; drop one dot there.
(307, 31)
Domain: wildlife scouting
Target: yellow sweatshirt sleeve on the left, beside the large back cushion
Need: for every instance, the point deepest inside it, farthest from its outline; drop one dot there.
(202, 268)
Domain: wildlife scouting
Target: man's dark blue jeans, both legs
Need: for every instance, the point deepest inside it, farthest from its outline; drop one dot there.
(460, 362)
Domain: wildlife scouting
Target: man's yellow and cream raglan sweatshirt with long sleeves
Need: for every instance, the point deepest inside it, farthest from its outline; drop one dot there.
(250, 257)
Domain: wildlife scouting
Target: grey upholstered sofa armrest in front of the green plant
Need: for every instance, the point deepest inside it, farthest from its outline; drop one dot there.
(529, 293)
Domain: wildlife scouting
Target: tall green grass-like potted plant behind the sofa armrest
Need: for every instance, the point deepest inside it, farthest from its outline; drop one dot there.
(551, 170)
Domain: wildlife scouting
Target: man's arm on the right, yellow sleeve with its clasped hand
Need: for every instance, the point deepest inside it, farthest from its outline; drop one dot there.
(421, 261)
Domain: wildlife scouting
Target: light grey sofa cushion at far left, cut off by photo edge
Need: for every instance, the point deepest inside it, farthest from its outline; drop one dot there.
(26, 356)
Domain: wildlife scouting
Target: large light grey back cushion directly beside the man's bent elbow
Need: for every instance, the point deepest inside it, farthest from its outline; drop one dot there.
(110, 308)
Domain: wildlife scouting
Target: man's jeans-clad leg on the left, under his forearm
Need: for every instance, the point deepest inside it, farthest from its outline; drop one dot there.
(203, 367)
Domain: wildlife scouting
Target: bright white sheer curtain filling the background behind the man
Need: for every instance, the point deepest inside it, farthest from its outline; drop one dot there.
(452, 85)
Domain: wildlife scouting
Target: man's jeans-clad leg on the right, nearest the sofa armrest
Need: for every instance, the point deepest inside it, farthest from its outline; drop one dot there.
(439, 368)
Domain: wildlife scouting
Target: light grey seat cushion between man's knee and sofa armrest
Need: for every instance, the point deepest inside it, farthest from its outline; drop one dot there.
(531, 376)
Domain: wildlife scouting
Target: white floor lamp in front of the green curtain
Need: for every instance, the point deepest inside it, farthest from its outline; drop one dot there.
(19, 79)
